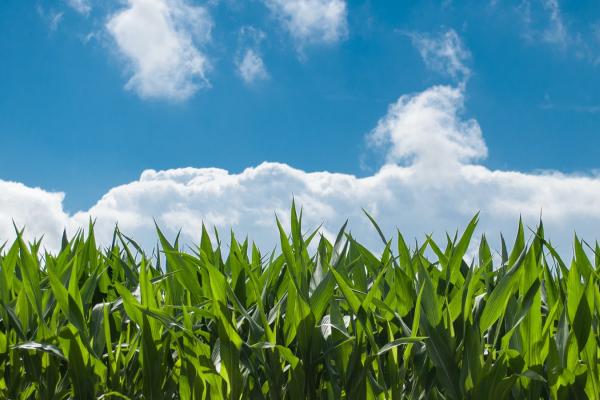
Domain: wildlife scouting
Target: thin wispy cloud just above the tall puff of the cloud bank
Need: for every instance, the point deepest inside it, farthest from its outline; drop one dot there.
(444, 53)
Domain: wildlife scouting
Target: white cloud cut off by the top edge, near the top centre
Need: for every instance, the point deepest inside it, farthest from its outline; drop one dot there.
(312, 21)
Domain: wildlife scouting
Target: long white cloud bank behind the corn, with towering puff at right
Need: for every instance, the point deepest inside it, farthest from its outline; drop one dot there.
(427, 194)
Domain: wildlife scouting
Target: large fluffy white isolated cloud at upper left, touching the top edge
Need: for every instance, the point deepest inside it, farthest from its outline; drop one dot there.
(160, 39)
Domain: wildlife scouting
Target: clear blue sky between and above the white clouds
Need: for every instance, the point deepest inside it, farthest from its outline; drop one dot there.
(69, 124)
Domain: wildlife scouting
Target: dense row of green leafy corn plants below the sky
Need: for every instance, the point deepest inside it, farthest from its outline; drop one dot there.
(204, 323)
